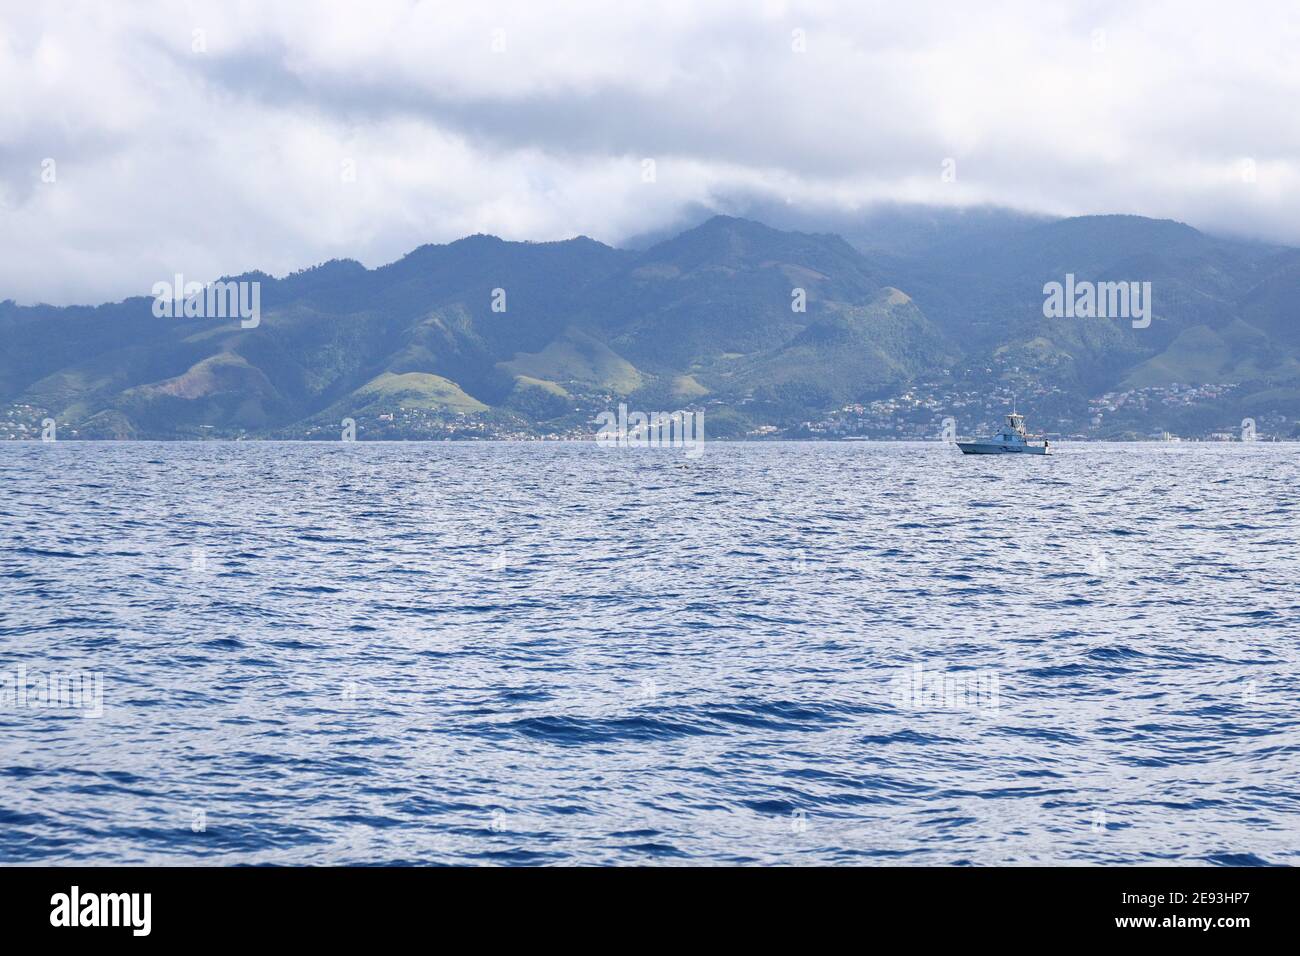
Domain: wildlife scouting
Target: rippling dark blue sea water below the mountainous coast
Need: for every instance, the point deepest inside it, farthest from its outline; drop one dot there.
(557, 654)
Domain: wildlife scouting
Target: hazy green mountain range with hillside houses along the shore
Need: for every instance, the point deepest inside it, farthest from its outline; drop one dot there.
(770, 331)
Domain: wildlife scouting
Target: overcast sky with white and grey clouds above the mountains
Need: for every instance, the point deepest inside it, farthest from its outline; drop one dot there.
(145, 140)
